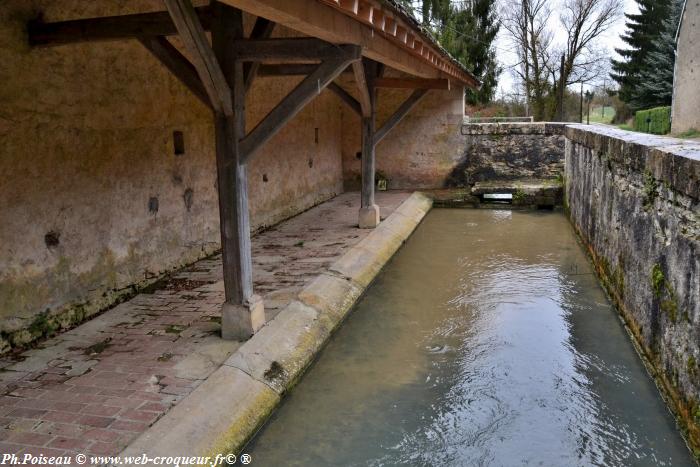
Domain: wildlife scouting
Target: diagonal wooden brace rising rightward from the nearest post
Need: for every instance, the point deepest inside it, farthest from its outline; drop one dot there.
(310, 87)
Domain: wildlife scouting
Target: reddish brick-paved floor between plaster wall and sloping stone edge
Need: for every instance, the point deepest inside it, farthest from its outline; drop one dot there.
(95, 388)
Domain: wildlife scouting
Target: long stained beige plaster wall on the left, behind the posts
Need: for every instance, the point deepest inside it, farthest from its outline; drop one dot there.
(93, 198)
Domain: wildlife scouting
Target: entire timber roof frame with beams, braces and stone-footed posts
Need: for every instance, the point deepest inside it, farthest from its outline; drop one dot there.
(358, 36)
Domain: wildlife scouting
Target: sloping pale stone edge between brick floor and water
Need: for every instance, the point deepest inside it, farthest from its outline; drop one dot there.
(227, 409)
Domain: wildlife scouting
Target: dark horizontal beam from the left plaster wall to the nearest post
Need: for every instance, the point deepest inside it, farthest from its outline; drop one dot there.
(109, 28)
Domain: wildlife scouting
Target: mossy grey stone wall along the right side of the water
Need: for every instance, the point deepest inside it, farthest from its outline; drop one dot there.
(635, 201)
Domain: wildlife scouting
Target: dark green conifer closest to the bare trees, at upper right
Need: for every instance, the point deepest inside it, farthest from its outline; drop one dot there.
(643, 32)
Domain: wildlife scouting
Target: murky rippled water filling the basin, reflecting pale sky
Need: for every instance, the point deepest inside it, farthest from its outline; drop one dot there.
(486, 341)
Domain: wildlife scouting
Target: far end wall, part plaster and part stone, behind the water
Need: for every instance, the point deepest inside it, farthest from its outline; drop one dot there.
(450, 154)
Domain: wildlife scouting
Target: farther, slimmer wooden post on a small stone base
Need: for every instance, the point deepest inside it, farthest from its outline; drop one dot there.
(369, 211)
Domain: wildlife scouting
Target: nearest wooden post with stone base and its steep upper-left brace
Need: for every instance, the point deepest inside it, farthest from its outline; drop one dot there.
(222, 76)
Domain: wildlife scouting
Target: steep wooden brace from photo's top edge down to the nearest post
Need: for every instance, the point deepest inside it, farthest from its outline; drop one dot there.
(195, 40)
